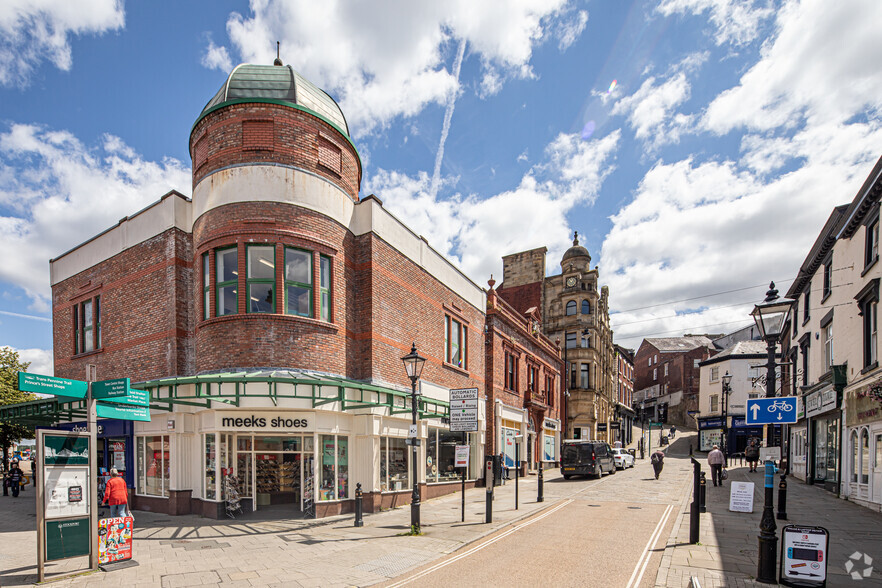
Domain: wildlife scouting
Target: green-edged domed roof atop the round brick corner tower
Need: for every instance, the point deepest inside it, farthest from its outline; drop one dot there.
(278, 85)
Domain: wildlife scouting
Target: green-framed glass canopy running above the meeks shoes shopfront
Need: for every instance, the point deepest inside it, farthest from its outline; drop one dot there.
(231, 388)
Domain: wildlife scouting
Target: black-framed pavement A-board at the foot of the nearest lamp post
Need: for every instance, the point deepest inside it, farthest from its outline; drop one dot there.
(804, 556)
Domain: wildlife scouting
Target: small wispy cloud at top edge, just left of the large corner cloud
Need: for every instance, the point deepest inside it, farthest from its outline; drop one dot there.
(737, 22)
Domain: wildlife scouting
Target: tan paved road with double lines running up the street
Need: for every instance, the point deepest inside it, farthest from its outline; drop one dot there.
(607, 532)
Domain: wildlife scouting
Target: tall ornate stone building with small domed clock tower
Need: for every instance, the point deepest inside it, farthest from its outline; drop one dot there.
(574, 310)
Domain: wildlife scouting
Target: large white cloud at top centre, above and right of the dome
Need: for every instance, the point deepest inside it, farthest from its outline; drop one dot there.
(385, 59)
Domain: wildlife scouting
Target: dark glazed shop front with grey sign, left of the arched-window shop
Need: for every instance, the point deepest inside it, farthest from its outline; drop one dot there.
(824, 443)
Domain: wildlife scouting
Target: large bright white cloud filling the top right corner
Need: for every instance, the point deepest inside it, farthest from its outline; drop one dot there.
(821, 66)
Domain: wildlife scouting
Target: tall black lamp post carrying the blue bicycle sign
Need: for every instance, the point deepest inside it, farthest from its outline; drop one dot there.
(770, 316)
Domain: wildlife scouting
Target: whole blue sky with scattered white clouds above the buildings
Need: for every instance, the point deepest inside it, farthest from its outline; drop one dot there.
(697, 146)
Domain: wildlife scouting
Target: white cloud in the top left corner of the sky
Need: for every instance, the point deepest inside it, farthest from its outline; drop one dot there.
(34, 30)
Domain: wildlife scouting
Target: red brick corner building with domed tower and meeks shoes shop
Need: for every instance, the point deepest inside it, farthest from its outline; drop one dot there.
(268, 315)
